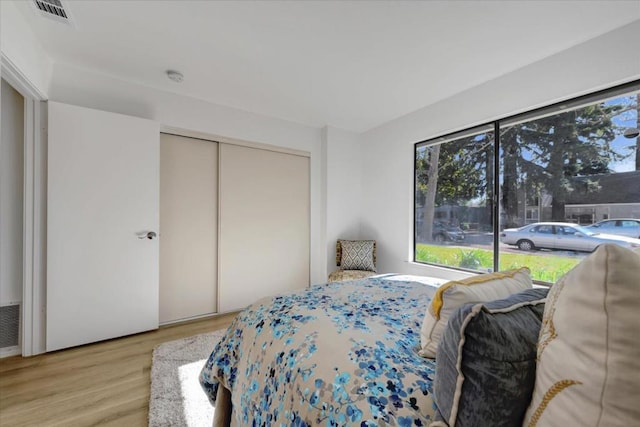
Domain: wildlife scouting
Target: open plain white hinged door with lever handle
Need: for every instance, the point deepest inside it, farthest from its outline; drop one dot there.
(103, 197)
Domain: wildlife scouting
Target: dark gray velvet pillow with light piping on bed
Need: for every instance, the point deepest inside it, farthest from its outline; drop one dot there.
(486, 361)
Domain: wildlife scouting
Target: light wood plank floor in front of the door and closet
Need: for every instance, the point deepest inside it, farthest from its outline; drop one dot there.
(96, 384)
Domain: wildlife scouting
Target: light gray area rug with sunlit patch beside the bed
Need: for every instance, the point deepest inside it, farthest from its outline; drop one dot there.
(176, 396)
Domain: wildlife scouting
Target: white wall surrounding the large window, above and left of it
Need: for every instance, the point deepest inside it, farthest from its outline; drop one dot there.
(387, 203)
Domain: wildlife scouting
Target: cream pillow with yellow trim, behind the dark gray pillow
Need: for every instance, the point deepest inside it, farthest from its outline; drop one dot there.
(454, 294)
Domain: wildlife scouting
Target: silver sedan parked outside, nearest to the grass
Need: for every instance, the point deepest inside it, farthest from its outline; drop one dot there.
(562, 236)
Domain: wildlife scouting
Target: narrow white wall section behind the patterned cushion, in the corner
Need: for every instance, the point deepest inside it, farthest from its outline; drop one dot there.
(344, 189)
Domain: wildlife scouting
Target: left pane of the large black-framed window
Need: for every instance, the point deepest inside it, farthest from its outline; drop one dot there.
(457, 212)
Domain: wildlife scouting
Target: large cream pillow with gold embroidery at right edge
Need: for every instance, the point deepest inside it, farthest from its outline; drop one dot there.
(588, 370)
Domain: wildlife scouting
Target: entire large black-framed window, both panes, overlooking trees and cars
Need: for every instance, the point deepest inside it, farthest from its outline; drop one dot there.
(531, 190)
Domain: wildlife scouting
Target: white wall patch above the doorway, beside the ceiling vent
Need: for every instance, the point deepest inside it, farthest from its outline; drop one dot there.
(22, 49)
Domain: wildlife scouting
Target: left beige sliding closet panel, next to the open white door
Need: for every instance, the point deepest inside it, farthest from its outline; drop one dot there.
(189, 224)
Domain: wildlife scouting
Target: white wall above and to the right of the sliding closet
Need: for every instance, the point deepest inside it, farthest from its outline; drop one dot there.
(86, 88)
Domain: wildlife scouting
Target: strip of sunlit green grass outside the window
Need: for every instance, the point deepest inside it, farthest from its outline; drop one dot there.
(544, 266)
